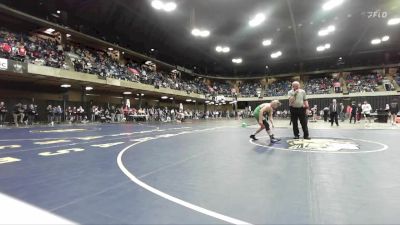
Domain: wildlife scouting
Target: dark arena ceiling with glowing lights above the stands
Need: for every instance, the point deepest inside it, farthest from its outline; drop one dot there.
(292, 25)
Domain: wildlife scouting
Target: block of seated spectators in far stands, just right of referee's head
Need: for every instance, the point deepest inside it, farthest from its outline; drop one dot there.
(321, 85)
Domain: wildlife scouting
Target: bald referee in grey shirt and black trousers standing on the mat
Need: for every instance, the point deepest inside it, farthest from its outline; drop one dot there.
(298, 106)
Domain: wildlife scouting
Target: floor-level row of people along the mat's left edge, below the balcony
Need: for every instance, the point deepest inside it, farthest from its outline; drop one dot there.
(27, 114)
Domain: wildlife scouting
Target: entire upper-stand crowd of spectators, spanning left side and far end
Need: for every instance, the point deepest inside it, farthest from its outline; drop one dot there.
(47, 51)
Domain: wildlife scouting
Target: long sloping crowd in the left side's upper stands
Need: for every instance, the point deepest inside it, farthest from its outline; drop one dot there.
(47, 51)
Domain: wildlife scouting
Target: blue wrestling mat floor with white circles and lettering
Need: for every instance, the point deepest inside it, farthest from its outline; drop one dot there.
(200, 172)
